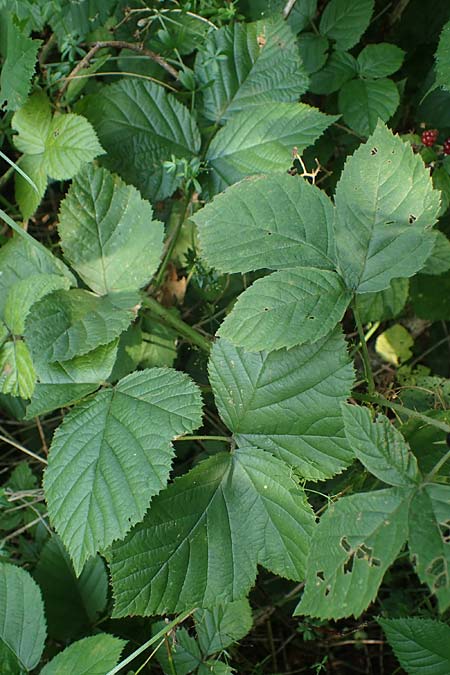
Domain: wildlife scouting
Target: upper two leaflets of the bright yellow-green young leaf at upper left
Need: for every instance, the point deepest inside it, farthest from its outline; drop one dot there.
(63, 143)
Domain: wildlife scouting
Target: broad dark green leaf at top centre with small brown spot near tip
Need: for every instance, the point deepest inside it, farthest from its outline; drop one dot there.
(259, 62)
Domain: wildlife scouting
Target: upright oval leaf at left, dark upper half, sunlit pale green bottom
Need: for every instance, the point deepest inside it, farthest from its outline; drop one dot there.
(108, 233)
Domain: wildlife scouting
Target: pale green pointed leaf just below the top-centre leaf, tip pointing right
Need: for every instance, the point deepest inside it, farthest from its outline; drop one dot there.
(260, 140)
